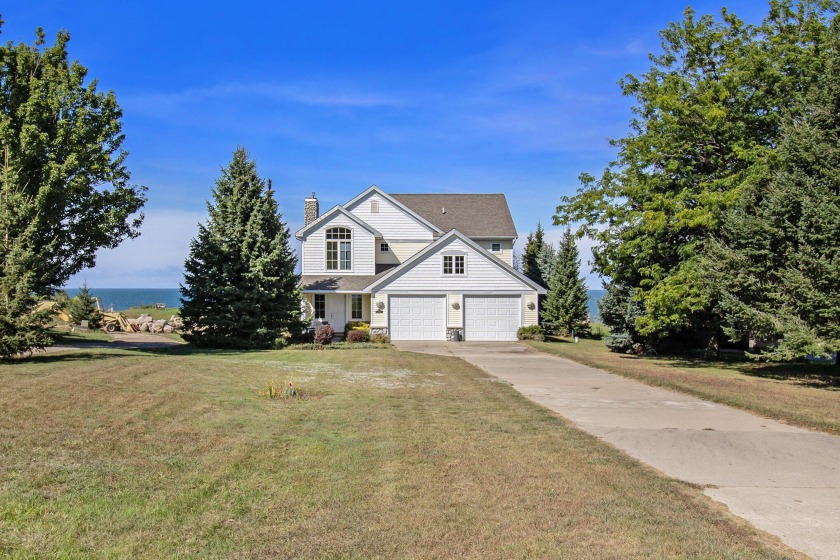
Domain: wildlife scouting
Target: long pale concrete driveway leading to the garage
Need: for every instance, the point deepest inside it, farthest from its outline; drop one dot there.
(784, 480)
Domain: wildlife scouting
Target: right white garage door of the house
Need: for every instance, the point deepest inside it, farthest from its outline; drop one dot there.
(491, 317)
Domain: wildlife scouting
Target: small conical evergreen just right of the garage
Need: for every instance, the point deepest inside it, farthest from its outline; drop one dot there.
(566, 305)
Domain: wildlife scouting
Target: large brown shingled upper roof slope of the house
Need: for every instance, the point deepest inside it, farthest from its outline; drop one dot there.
(474, 215)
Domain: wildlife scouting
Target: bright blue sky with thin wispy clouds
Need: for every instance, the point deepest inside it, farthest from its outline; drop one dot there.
(331, 97)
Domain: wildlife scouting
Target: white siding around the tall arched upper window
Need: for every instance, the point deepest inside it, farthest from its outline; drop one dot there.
(314, 249)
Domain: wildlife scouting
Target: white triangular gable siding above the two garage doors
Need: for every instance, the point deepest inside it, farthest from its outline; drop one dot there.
(481, 274)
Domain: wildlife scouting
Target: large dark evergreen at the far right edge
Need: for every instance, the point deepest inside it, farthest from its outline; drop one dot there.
(776, 268)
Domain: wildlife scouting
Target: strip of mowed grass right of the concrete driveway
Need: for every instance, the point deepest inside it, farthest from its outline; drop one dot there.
(804, 395)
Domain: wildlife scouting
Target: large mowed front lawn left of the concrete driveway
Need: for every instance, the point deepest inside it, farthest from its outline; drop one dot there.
(112, 454)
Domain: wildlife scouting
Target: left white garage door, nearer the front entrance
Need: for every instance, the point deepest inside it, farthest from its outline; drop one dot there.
(418, 317)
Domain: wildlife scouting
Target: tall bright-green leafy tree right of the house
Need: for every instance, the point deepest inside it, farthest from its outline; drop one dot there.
(706, 122)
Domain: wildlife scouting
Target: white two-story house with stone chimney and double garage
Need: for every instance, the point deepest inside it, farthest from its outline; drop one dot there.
(416, 266)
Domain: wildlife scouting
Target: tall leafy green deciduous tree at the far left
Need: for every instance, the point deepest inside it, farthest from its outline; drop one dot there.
(63, 138)
